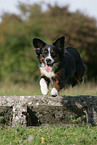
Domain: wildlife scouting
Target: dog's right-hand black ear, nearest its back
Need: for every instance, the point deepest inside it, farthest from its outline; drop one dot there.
(59, 43)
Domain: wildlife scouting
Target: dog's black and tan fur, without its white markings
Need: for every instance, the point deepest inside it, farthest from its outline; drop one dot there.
(68, 65)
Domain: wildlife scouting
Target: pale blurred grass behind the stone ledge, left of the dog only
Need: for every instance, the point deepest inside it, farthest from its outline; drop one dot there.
(20, 89)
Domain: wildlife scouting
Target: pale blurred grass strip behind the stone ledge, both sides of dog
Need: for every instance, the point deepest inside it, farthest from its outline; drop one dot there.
(10, 89)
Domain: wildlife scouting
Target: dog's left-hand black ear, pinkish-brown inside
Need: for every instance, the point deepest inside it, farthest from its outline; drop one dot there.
(38, 43)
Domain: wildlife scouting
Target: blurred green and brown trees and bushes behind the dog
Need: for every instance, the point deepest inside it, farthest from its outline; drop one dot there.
(18, 62)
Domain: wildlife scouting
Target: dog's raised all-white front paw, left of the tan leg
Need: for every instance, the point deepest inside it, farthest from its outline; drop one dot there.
(43, 86)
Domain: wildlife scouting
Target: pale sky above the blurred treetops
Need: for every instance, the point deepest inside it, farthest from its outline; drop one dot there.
(88, 7)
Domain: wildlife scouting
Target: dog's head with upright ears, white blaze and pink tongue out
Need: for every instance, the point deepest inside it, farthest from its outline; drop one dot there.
(48, 55)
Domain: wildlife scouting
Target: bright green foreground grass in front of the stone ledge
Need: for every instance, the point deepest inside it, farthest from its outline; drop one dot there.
(49, 135)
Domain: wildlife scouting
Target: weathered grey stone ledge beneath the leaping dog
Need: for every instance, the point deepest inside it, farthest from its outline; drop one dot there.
(36, 110)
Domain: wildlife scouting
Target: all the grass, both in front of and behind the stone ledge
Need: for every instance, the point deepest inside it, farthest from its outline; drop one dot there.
(48, 135)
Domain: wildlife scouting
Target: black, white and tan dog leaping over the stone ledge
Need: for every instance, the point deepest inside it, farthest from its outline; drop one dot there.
(59, 64)
